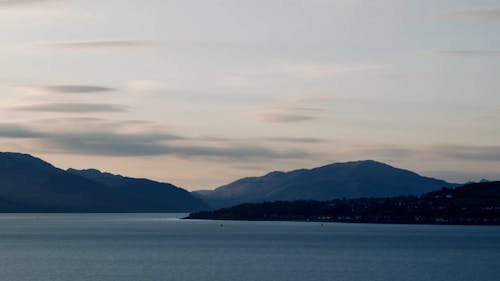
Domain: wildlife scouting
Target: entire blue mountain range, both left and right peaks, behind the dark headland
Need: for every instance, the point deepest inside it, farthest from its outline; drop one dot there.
(29, 183)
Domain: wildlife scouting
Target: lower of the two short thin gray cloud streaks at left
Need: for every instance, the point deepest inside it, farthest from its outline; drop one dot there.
(74, 107)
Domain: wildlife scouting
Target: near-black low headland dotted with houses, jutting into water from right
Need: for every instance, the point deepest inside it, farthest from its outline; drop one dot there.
(477, 203)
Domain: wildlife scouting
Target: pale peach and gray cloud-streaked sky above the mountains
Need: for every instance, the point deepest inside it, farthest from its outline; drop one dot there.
(199, 93)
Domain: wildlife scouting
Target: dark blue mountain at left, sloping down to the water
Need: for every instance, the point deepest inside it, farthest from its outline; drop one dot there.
(29, 184)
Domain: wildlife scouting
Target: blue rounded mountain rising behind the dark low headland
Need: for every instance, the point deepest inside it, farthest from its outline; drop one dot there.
(340, 180)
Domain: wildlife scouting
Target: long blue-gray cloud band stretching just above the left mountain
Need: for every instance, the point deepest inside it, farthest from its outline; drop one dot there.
(105, 141)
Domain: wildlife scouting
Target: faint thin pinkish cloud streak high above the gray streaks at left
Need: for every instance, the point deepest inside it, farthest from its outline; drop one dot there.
(111, 44)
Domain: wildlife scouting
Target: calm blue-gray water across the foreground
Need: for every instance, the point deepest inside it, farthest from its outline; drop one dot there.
(155, 247)
